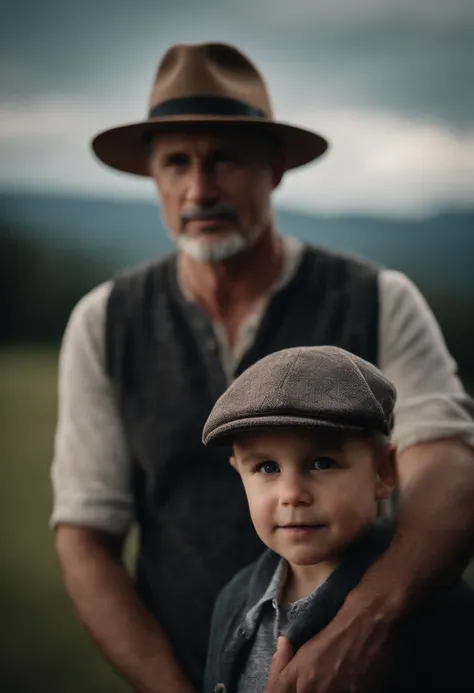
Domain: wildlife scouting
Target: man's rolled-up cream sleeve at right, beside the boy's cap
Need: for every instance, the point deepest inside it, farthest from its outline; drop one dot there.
(432, 403)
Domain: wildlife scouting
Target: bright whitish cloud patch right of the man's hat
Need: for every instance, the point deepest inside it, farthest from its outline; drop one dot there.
(383, 164)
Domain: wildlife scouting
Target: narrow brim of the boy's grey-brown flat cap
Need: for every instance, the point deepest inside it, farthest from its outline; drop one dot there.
(224, 434)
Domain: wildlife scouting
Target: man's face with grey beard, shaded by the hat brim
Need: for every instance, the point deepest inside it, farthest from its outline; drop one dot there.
(215, 191)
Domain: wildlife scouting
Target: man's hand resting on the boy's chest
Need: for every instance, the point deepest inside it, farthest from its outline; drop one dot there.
(350, 654)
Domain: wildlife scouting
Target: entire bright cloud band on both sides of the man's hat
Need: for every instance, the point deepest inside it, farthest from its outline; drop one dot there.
(378, 163)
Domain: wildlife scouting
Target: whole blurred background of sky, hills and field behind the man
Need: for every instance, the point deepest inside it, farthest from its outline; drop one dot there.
(389, 83)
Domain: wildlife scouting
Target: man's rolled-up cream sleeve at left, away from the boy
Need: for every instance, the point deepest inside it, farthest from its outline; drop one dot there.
(91, 470)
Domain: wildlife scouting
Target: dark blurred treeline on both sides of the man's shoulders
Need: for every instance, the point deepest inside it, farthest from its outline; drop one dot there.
(40, 283)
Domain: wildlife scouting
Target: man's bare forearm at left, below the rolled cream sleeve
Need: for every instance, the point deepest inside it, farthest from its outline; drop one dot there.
(108, 606)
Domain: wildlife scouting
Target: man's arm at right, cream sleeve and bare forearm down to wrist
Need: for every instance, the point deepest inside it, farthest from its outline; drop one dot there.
(434, 431)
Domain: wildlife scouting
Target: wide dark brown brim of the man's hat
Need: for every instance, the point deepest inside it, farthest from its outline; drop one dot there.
(126, 147)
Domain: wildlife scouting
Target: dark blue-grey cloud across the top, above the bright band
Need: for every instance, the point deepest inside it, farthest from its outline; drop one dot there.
(412, 57)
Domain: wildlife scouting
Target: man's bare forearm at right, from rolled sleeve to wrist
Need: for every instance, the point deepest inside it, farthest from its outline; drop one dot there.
(434, 536)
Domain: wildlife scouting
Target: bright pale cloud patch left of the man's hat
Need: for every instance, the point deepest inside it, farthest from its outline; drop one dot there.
(45, 144)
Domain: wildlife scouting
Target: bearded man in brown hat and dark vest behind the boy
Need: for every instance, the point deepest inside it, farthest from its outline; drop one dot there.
(146, 356)
